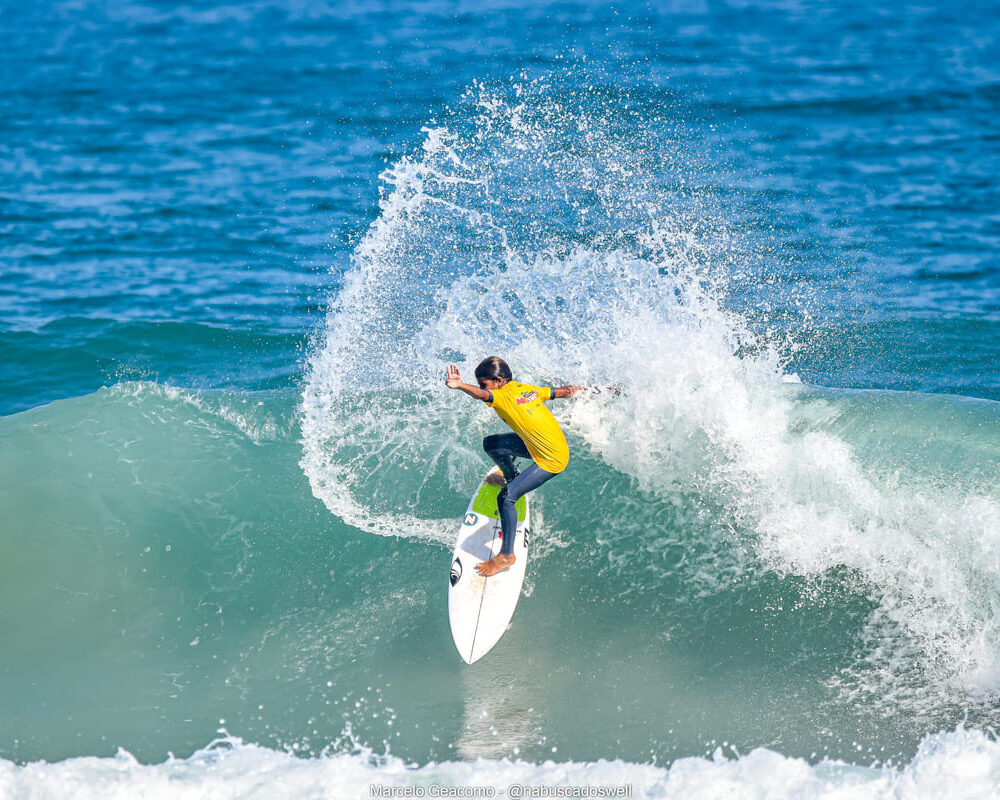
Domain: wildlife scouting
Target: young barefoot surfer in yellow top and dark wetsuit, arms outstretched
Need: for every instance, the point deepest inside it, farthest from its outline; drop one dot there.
(537, 436)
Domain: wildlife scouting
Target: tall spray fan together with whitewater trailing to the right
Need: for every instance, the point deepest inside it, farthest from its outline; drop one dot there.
(482, 246)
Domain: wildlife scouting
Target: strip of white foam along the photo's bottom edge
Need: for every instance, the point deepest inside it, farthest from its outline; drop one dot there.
(958, 764)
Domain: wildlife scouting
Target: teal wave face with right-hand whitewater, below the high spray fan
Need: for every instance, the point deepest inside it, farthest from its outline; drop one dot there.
(166, 568)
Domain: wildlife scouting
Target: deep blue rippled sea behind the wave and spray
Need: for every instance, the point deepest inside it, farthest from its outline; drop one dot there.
(181, 185)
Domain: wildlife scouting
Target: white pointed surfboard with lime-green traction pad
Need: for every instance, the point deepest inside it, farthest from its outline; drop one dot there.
(480, 609)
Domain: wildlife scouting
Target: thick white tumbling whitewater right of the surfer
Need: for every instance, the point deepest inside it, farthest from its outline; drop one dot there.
(928, 551)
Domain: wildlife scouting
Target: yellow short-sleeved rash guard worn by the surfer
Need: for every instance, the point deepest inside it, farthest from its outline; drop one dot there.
(520, 406)
